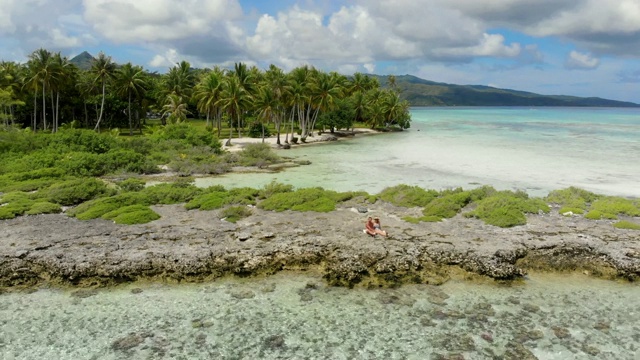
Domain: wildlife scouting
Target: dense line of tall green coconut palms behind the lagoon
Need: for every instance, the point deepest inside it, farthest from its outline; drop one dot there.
(49, 91)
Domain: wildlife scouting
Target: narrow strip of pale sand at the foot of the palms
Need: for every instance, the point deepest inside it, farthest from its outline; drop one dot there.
(238, 144)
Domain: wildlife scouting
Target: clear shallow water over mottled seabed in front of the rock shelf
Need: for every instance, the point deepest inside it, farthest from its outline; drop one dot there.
(290, 316)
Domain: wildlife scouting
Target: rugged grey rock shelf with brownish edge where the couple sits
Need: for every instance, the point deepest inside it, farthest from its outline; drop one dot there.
(55, 250)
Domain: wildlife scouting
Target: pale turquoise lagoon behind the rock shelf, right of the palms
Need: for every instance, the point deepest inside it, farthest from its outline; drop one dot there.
(531, 149)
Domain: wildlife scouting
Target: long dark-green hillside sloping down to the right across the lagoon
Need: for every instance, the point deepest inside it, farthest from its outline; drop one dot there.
(420, 92)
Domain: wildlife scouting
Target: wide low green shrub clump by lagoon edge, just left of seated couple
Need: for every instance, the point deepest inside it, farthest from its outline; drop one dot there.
(309, 199)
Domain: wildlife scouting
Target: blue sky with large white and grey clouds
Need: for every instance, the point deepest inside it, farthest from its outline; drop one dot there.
(568, 47)
